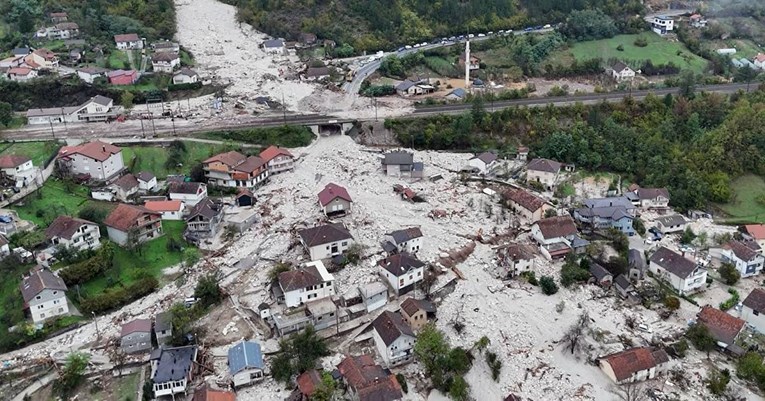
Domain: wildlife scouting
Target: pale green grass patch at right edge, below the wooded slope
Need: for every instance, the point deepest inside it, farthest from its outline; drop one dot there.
(744, 207)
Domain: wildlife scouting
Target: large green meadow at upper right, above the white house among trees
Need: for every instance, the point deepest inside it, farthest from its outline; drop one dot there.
(659, 51)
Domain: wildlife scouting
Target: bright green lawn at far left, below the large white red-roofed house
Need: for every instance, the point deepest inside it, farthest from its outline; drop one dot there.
(55, 199)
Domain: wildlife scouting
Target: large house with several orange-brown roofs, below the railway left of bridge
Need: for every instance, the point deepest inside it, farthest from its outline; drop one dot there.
(233, 169)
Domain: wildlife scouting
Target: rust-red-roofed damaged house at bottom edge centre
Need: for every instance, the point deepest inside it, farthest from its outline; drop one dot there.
(367, 381)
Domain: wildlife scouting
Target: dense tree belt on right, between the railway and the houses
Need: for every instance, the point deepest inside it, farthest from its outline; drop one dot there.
(694, 147)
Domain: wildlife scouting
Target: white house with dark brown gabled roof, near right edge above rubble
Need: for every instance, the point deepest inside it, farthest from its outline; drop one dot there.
(684, 275)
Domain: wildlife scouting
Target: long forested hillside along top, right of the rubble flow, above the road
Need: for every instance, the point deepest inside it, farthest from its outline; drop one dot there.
(382, 24)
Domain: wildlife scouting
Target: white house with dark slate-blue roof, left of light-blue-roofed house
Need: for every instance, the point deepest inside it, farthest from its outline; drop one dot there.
(172, 370)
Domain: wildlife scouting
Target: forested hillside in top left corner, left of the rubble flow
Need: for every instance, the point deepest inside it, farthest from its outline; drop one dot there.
(99, 20)
